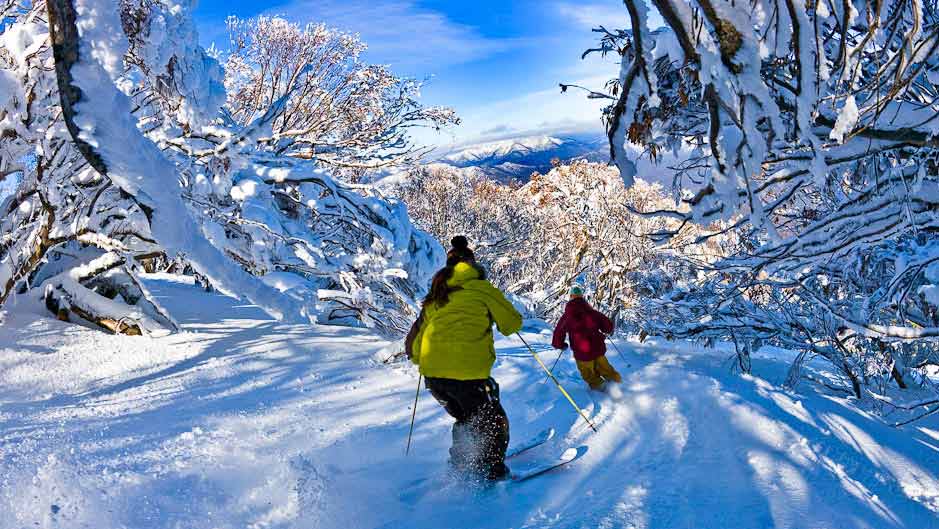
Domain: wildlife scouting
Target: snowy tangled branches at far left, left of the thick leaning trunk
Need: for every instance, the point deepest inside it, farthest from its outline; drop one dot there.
(60, 203)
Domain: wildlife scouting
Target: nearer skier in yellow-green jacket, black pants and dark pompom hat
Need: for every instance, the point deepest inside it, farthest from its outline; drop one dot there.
(452, 343)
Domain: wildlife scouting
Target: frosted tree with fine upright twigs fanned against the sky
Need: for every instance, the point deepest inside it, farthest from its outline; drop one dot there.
(347, 114)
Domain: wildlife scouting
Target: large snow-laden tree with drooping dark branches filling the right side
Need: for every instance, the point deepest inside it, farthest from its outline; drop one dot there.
(812, 128)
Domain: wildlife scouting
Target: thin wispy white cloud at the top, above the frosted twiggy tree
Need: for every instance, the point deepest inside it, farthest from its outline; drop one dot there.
(401, 33)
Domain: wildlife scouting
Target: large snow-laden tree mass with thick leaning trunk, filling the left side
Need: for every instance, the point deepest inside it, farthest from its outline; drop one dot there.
(111, 124)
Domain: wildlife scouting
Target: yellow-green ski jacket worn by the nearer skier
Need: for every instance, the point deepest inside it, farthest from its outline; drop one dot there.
(455, 340)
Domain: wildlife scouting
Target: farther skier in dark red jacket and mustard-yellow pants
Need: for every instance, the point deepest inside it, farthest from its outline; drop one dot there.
(586, 328)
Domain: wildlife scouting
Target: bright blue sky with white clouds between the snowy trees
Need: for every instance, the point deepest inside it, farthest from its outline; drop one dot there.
(498, 63)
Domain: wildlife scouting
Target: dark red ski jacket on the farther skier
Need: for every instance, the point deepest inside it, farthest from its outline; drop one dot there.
(584, 325)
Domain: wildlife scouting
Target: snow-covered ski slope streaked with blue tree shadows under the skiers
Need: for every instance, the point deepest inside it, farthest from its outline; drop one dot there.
(241, 421)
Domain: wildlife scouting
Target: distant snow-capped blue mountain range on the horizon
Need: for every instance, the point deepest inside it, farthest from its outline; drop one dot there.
(517, 158)
